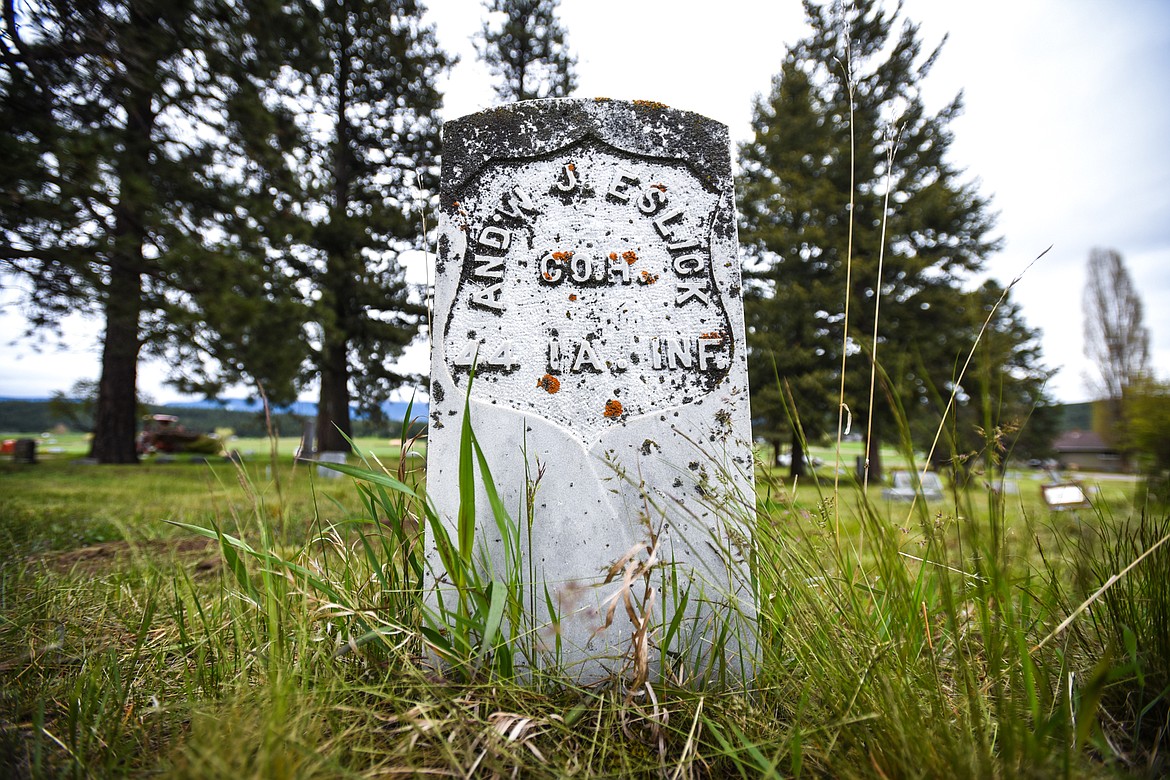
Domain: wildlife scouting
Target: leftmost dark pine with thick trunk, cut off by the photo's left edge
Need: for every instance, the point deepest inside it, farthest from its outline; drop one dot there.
(115, 156)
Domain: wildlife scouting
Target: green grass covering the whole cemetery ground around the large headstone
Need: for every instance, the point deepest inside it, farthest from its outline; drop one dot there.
(896, 644)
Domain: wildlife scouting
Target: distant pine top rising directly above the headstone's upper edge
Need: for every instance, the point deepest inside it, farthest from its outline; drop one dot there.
(527, 52)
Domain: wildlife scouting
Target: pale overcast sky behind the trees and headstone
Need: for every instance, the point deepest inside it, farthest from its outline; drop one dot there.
(1066, 128)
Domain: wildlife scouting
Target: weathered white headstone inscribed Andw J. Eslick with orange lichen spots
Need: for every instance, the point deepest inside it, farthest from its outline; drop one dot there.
(588, 271)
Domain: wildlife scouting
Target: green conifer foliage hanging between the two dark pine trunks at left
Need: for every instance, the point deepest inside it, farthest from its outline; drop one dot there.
(243, 320)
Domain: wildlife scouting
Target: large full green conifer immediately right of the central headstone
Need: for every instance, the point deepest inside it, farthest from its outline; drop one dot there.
(846, 178)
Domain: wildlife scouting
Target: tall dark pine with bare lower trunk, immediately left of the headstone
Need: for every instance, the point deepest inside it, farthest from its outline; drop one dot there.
(366, 103)
